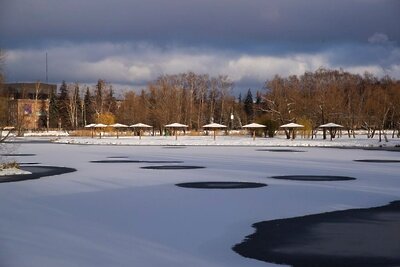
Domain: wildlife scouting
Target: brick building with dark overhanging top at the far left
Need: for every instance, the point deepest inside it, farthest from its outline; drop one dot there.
(28, 104)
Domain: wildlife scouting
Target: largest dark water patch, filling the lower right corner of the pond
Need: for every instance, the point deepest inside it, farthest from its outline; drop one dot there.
(356, 237)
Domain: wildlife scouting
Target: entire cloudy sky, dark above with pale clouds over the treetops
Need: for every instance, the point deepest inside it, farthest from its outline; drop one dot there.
(131, 42)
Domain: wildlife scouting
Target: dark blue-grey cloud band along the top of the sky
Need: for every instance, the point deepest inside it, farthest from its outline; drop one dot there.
(237, 24)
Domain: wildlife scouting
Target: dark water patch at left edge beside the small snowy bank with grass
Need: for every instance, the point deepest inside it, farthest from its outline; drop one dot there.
(36, 173)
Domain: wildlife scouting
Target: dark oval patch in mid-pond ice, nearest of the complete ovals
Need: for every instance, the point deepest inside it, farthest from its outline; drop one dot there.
(221, 185)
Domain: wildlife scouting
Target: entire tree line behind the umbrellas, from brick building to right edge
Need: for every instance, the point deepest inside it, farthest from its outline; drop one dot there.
(314, 98)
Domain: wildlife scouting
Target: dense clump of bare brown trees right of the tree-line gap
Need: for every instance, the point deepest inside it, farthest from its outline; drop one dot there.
(315, 98)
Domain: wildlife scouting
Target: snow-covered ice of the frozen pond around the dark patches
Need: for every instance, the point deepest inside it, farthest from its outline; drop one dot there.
(117, 214)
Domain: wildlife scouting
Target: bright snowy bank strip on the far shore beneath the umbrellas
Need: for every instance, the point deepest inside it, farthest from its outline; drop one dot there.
(359, 141)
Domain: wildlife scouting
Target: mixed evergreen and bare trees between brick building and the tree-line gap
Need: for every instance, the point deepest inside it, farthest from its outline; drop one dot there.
(187, 98)
